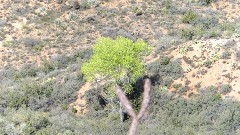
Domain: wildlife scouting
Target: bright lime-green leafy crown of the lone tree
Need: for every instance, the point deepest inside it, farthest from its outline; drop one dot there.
(118, 60)
